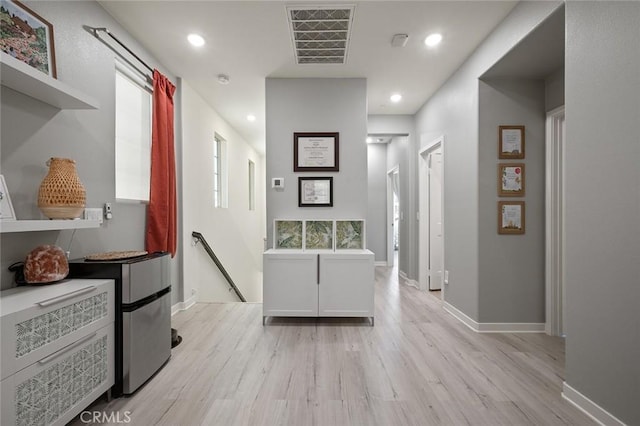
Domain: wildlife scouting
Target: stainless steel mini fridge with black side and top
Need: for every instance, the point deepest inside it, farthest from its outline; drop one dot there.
(143, 315)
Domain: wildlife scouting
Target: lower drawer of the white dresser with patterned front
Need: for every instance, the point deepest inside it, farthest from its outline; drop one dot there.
(56, 388)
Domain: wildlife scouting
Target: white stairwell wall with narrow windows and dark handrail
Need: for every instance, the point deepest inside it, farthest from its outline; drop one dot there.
(235, 233)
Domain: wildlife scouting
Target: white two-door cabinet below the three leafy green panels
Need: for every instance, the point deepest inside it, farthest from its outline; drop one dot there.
(325, 284)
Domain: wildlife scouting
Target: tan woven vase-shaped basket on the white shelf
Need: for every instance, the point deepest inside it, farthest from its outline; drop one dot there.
(61, 194)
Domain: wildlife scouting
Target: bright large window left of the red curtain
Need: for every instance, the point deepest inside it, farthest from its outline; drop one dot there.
(133, 135)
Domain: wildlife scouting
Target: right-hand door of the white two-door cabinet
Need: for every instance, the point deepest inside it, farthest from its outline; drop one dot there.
(346, 285)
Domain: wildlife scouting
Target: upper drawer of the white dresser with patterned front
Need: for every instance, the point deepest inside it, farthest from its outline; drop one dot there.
(52, 319)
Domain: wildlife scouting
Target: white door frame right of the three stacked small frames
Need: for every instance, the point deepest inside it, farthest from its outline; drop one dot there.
(554, 224)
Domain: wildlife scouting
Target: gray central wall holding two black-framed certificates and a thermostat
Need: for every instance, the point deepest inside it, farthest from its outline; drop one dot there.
(316, 105)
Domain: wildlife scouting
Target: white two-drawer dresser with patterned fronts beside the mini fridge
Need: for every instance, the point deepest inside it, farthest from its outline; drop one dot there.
(57, 350)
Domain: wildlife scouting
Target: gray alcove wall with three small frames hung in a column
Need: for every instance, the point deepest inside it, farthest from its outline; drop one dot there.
(511, 267)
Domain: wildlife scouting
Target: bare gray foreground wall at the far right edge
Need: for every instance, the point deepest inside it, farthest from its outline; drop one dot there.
(603, 204)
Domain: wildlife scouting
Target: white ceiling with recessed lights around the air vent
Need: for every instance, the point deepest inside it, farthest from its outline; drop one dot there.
(249, 41)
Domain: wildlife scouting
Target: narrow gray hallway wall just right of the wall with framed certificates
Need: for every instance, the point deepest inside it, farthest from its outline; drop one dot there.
(377, 200)
